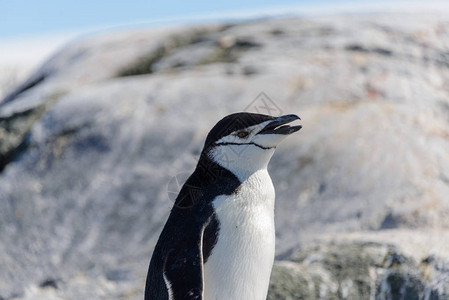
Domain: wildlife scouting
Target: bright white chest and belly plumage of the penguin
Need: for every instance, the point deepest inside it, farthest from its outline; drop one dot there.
(240, 263)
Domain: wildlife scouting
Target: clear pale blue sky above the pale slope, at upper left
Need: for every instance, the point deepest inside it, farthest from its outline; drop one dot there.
(25, 17)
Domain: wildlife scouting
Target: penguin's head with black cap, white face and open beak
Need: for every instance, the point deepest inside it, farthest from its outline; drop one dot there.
(244, 142)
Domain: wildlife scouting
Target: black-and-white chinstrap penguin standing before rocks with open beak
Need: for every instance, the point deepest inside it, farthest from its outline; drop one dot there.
(219, 240)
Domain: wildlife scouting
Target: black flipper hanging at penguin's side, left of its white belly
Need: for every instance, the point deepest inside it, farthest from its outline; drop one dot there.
(183, 269)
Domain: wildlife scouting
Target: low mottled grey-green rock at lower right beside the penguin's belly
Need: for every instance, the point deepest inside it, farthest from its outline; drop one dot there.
(343, 270)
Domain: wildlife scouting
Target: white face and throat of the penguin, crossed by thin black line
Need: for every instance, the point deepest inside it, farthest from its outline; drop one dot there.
(244, 151)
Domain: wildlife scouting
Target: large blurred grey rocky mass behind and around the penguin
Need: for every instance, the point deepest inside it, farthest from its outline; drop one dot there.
(94, 143)
